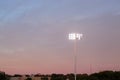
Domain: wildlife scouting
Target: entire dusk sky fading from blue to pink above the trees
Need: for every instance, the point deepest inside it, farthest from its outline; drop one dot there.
(34, 36)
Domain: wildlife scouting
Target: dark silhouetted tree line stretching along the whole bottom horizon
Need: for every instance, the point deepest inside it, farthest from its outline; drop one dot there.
(104, 75)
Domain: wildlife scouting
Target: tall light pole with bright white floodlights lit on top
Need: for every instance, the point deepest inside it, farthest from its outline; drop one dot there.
(75, 37)
